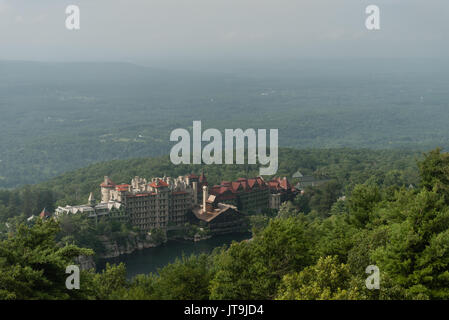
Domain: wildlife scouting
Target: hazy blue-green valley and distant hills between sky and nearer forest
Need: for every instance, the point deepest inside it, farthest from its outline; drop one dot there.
(57, 117)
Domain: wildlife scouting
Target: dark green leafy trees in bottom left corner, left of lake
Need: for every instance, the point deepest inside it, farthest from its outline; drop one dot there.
(32, 266)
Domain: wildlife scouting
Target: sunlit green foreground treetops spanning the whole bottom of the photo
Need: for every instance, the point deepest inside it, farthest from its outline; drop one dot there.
(402, 231)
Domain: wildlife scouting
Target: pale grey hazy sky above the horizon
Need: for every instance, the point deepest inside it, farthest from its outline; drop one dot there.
(182, 31)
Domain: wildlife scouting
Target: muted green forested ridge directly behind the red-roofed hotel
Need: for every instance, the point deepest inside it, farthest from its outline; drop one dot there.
(345, 167)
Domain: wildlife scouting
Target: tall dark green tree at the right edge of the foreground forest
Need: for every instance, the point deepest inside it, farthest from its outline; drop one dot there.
(415, 256)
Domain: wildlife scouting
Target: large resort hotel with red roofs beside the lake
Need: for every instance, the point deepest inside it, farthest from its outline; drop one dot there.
(166, 203)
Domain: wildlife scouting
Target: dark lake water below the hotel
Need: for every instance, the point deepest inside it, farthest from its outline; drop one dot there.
(149, 260)
